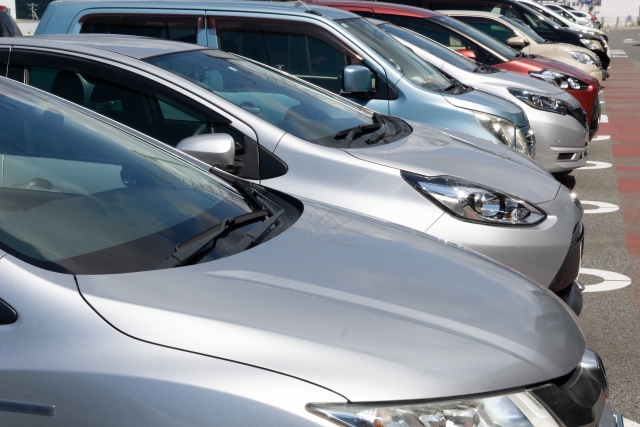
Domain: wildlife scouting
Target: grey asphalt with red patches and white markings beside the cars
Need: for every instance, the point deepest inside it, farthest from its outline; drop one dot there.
(609, 188)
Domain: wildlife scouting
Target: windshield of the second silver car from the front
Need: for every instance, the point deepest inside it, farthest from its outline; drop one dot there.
(291, 105)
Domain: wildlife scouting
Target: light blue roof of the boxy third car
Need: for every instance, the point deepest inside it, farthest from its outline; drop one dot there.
(290, 8)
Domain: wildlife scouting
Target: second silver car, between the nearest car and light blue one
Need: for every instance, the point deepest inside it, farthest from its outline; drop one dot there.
(309, 142)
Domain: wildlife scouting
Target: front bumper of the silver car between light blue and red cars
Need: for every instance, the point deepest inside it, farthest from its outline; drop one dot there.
(561, 141)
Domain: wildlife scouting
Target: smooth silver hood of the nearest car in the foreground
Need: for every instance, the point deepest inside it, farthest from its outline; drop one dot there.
(370, 310)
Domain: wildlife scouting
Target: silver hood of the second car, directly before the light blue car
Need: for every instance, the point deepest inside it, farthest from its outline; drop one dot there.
(433, 151)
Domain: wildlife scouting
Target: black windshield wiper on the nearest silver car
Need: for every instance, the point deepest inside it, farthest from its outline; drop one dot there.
(188, 249)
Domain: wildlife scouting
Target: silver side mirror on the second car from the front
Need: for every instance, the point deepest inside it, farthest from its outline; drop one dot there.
(211, 148)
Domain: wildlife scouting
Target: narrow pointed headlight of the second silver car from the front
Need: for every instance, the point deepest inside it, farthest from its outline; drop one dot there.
(474, 202)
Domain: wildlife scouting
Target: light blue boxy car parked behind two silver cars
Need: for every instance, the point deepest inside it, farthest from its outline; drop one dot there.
(401, 84)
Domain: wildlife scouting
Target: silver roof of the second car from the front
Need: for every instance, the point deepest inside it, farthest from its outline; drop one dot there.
(131, 46)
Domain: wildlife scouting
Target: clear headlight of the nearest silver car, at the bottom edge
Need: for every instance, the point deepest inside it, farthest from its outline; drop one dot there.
(516, 409)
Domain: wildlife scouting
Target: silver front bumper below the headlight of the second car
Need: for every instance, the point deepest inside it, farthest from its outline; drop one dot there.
(537, 252)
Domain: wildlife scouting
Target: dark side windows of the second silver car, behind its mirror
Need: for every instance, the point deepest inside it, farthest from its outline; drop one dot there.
(140, 103)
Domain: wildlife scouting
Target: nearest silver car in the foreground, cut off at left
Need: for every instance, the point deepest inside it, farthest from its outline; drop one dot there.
(280, 312)
